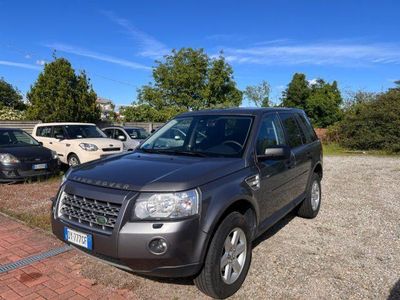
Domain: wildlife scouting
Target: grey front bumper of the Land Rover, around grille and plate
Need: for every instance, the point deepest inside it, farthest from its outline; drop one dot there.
(127, 247)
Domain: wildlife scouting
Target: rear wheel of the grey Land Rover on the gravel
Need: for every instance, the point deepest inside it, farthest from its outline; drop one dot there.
(309, 208)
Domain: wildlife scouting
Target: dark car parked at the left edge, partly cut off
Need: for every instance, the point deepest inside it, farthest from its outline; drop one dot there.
(21, 156)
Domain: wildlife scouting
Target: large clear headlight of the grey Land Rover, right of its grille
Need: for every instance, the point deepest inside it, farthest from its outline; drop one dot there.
(166, 205)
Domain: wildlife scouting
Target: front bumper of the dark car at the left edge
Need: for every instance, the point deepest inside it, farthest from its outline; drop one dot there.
(23, 171)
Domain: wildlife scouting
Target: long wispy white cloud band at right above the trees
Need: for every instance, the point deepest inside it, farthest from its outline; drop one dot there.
(333, 53)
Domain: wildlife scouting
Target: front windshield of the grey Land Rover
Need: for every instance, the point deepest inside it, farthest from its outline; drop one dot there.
(207, 135)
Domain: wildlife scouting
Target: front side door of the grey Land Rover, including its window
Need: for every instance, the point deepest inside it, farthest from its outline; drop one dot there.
(275, 174)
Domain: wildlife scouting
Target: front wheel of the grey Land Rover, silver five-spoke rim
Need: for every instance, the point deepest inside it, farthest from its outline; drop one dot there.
(228, 258)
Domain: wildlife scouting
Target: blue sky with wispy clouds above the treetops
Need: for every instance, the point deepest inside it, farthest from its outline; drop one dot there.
(356, 43)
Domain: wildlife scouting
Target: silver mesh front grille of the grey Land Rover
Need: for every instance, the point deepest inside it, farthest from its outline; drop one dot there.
(101, 215)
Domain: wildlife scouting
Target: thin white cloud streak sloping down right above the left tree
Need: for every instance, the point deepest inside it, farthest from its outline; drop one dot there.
(97, 56)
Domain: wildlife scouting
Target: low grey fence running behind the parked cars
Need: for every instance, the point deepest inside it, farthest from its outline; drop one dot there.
(29, 125)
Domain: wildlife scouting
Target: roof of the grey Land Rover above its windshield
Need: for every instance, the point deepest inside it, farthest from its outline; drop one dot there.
(249, 111)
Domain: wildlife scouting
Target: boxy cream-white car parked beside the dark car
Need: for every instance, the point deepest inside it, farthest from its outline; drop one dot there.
(76, 143)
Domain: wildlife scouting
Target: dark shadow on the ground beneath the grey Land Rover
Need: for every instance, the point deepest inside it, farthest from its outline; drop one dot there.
(265, 236)
